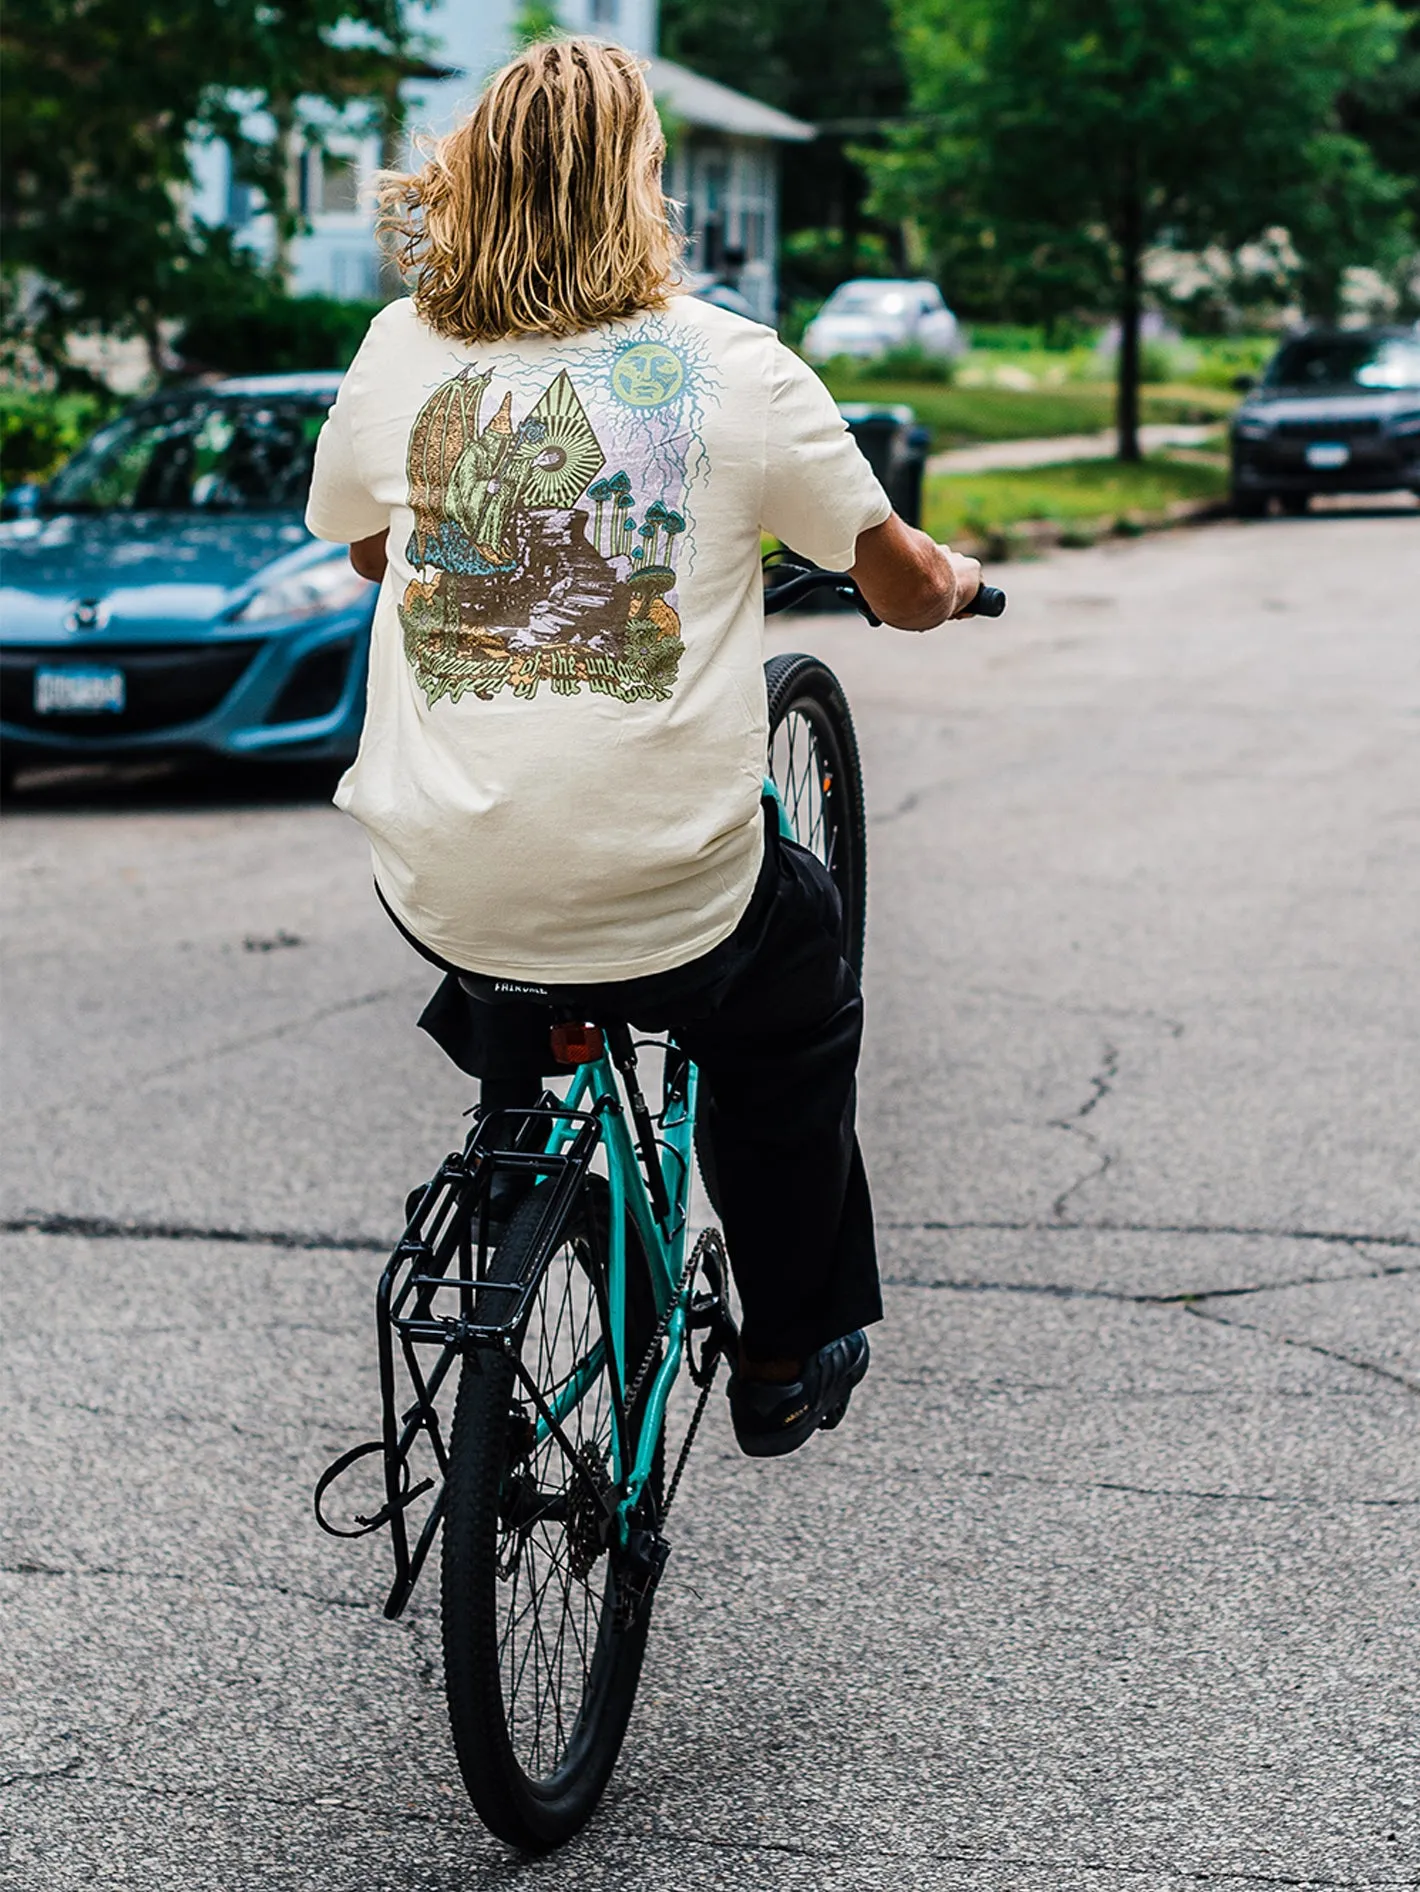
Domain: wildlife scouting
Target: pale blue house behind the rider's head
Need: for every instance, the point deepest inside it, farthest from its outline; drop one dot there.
(723, 164)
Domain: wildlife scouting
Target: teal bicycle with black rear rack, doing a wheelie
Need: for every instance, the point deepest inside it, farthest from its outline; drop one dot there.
(570, 1322)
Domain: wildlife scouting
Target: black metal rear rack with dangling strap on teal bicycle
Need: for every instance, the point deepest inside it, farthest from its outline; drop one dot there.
(443, 1253)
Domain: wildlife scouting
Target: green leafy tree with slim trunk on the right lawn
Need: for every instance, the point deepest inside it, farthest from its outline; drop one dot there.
(1064, 139)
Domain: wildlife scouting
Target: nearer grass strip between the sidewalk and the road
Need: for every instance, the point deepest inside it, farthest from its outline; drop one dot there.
(1086, 497)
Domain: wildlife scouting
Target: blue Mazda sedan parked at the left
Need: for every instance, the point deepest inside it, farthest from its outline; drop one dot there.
(162, 593)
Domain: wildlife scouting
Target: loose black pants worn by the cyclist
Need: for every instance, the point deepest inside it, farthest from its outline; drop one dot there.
(774, 1021)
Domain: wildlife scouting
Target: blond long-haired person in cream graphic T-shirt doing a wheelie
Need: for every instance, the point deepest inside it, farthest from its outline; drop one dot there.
(563, 470)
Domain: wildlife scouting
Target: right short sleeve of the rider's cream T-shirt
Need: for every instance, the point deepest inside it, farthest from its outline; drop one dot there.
(820, 493)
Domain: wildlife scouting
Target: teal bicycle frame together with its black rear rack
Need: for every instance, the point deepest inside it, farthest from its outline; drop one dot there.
(445, 1250)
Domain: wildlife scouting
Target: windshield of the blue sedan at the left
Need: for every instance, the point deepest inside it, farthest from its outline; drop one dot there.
(220, 455)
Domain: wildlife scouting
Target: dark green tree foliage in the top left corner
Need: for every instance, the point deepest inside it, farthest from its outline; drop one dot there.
(105, 101)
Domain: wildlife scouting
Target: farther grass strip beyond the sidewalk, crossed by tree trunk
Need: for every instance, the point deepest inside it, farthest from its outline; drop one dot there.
(961, 417)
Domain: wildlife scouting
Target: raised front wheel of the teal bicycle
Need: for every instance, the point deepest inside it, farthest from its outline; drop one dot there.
(814, 763)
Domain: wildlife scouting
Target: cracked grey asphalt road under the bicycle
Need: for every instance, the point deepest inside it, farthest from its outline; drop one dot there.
(1111, 1579)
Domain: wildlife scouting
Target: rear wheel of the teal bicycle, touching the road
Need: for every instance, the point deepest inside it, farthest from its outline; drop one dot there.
(538, 1670)
